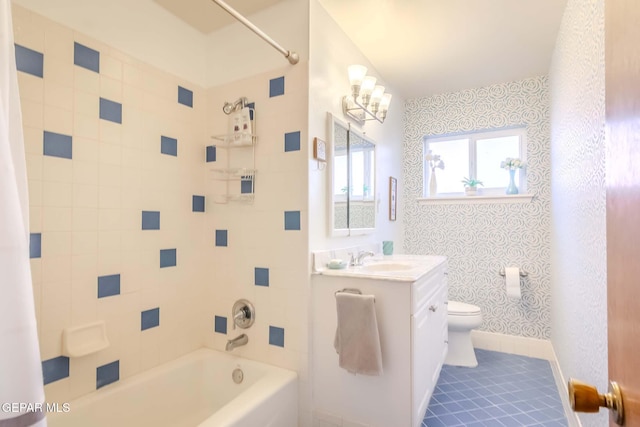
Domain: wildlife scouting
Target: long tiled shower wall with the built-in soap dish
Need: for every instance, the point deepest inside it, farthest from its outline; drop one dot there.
(115, 154)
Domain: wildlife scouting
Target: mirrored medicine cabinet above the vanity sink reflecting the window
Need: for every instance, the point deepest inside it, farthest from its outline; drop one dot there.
(352, 181)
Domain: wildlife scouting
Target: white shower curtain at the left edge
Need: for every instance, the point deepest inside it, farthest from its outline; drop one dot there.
(20, 366)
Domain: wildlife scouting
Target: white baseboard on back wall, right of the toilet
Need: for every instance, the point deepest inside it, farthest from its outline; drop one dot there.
(523, 346)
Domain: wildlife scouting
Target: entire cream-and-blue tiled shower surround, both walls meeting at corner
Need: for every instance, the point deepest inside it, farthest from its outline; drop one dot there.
(124, 221)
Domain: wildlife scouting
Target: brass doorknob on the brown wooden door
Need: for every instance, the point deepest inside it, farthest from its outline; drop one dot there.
(585, 398)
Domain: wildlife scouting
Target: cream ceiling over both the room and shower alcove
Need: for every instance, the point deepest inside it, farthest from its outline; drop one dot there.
(424, 47)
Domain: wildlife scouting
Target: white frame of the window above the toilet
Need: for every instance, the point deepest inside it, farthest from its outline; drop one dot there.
(473, 137)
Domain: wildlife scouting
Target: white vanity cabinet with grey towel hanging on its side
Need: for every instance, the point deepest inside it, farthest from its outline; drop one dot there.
(411, 313)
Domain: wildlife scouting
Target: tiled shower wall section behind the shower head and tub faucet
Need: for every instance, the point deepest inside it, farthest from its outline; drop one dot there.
(260, 249)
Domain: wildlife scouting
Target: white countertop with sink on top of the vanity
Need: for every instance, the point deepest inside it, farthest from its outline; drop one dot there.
(409, 268)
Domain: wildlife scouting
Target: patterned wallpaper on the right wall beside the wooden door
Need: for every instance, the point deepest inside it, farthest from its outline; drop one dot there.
(578, 276)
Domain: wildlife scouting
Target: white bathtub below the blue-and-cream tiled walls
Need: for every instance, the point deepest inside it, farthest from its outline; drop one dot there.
(194, 390)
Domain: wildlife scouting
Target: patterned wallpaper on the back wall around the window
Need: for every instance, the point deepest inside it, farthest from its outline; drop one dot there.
(480, 239)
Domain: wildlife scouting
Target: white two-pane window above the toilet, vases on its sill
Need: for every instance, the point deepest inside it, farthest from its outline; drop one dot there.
(475, 156)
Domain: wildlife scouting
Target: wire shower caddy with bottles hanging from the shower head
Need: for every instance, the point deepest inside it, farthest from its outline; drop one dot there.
(238, 177)
